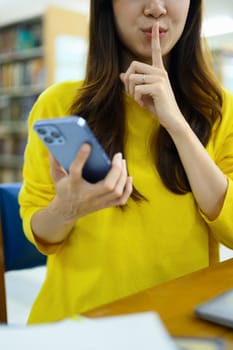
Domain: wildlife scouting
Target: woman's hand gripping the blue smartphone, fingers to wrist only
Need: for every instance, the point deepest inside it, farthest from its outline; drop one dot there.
(78, 197)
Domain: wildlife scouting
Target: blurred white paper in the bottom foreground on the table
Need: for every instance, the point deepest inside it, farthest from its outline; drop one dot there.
(142, 331)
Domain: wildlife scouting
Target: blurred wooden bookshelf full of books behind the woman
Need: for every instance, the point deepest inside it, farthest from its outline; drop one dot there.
(31, 52)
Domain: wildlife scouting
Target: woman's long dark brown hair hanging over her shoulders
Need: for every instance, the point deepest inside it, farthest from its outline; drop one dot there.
(100, 101)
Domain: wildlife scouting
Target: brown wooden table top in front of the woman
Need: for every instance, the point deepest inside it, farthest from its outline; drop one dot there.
(175, 302)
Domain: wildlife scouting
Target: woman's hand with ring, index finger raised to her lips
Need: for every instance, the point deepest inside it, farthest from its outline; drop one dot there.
(149, 85)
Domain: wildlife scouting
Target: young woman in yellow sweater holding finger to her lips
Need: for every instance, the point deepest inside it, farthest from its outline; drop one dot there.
(154, 104)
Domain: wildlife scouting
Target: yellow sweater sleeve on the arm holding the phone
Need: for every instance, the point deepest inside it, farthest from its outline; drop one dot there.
(38, 185)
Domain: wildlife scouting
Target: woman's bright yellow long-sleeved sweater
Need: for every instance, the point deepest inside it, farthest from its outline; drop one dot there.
(113, 253)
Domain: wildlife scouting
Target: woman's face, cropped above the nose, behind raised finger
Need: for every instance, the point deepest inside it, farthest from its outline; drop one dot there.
(134, 20)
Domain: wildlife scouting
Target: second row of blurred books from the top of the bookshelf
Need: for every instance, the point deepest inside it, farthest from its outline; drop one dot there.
(22, 73)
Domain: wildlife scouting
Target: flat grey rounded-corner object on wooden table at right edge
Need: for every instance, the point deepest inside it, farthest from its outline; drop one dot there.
(218, 309)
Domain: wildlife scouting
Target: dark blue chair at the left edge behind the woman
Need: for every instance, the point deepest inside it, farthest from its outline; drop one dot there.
(16, 252)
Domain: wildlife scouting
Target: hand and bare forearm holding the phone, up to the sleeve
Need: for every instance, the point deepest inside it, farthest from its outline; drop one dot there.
(75, 197)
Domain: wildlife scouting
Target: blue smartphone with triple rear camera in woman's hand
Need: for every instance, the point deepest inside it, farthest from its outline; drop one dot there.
(64, 136)
